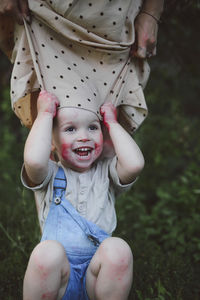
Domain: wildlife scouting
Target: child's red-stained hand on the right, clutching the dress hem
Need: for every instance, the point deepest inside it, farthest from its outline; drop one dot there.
(109, 114)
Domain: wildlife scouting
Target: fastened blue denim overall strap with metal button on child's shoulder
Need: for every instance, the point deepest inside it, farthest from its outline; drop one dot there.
(59, 185)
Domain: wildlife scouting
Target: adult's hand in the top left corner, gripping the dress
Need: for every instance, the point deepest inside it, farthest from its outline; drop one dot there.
(18, 9)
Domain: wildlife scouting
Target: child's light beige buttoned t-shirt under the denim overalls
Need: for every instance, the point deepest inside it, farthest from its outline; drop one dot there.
(92, 193)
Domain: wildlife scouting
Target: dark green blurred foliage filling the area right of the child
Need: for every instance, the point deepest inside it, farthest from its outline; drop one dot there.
(160, 216)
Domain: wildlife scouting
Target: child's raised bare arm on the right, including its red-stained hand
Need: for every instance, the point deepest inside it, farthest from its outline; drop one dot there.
(130, 160)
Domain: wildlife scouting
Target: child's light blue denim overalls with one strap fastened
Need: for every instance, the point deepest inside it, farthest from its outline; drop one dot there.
(79, 237)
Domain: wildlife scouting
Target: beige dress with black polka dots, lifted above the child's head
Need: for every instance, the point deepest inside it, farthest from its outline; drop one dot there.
(79, 50)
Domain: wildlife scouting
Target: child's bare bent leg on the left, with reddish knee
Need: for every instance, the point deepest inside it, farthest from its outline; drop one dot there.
(47, 273)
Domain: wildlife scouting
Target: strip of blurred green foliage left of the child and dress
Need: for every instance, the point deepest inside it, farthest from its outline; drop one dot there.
(18, 222)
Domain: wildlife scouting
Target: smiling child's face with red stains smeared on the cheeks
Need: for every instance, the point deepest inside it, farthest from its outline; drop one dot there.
(78, 138)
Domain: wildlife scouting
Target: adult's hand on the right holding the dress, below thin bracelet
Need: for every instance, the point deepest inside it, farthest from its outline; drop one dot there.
(146, 29)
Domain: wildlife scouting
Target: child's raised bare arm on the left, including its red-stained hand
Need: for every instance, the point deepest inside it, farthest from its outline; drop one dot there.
(38, 144)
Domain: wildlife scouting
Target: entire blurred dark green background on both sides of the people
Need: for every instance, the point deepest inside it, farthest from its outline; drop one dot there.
(160, 216)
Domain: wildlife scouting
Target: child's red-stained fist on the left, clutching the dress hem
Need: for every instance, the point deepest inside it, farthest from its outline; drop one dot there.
(47, 102)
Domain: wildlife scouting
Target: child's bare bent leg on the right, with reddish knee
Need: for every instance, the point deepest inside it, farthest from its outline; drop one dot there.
(109, 275)
